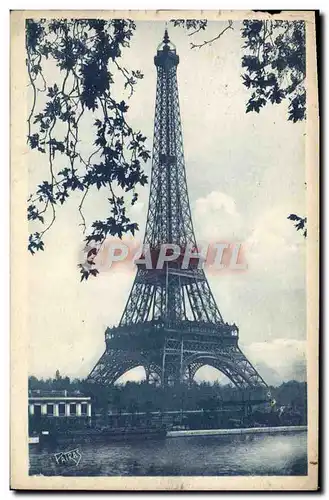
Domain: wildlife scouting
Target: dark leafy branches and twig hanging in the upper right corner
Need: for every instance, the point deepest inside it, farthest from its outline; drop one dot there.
(274, 62)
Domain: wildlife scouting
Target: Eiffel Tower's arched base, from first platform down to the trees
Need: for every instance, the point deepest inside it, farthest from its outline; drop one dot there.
(177, 360)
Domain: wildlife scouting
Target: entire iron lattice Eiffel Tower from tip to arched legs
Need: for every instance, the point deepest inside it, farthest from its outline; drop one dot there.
(171, 324)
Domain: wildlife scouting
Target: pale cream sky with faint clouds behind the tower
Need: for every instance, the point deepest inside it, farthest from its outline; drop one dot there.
(245, 174)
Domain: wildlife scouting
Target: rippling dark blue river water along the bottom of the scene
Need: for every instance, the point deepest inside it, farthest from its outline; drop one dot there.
(228, 455)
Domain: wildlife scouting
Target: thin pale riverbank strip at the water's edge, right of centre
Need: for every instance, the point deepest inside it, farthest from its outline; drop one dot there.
(251, 430)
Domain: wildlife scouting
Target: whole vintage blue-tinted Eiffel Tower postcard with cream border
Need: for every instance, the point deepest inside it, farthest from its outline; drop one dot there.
(164, 268)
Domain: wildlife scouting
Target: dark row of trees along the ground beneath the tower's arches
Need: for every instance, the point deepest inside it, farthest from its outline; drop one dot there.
(143, 397)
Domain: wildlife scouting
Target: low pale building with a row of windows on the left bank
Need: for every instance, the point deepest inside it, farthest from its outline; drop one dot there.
(58, 404)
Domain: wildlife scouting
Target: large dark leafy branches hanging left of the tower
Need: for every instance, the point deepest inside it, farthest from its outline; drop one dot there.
(86, 54)
